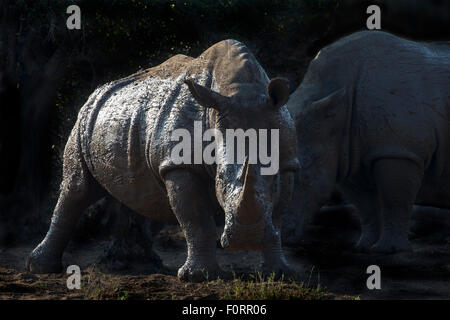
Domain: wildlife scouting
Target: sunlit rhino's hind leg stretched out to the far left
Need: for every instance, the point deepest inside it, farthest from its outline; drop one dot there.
(77, 191)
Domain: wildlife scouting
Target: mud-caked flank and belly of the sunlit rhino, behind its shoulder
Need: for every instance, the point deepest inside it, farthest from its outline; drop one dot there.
(117, 124)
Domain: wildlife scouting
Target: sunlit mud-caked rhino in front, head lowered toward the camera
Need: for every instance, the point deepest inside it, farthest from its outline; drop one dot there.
(121, 144)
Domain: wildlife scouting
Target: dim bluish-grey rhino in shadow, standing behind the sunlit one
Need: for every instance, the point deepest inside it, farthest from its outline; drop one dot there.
(373, 119)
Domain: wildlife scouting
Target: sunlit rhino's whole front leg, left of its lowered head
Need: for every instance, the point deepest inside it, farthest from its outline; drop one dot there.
(191, 205)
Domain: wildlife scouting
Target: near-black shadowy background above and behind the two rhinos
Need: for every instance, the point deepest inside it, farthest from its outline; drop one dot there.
(47, 72)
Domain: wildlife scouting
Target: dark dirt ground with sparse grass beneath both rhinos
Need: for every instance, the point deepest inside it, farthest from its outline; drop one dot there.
(328, 269)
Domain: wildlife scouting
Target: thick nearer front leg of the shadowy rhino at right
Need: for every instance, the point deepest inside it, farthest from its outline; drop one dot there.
(398, 182)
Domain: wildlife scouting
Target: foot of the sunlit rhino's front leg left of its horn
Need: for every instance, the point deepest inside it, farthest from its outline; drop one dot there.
(197, 272)
